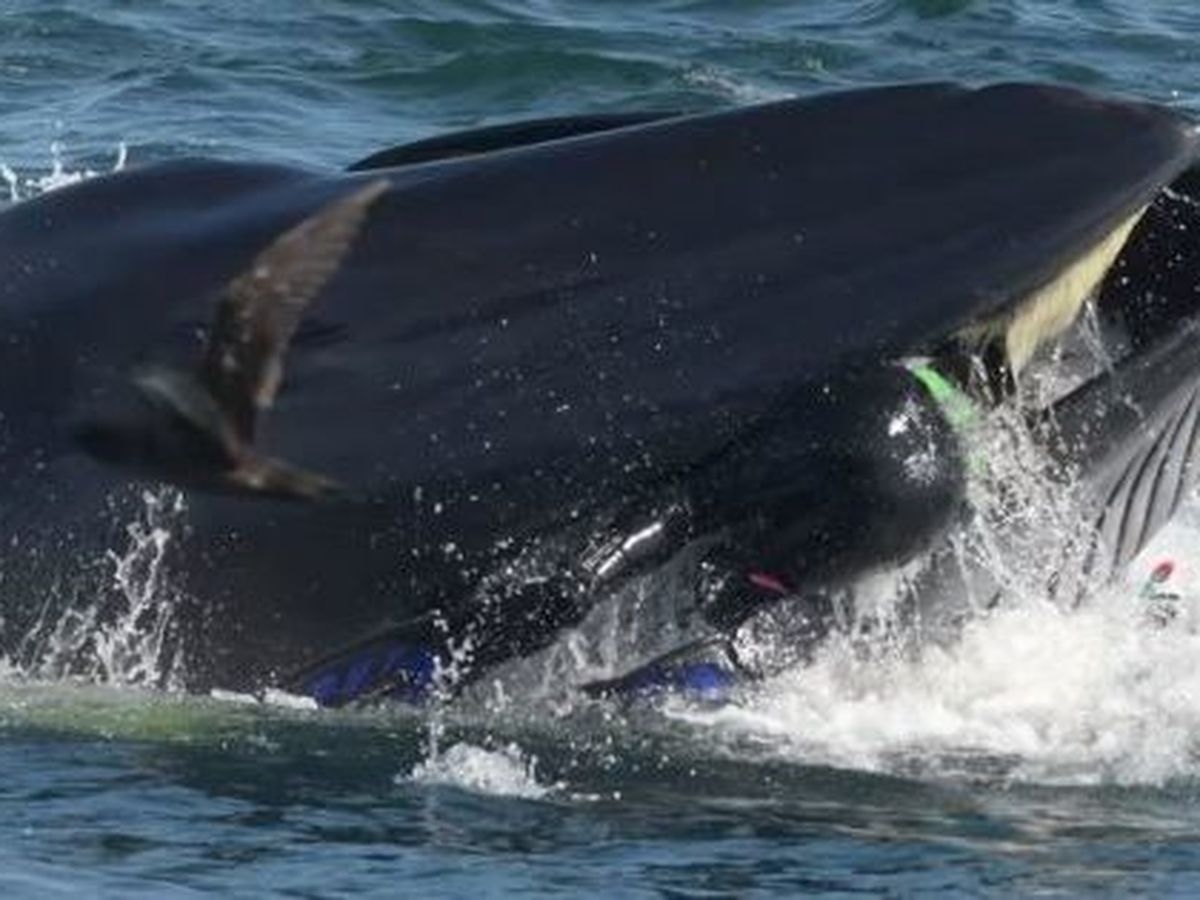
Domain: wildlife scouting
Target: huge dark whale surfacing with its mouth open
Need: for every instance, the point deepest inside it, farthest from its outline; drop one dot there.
(442, 404)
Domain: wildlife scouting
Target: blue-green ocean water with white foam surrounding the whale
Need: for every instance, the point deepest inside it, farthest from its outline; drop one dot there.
(1046, 752)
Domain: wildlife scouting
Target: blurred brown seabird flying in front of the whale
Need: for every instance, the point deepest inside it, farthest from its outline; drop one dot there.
(199, 428)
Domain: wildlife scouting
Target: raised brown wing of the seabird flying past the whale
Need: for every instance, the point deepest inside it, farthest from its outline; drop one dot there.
(261, 310)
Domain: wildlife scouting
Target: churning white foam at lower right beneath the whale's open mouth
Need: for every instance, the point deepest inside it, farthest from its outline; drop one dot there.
(1099, 695)
